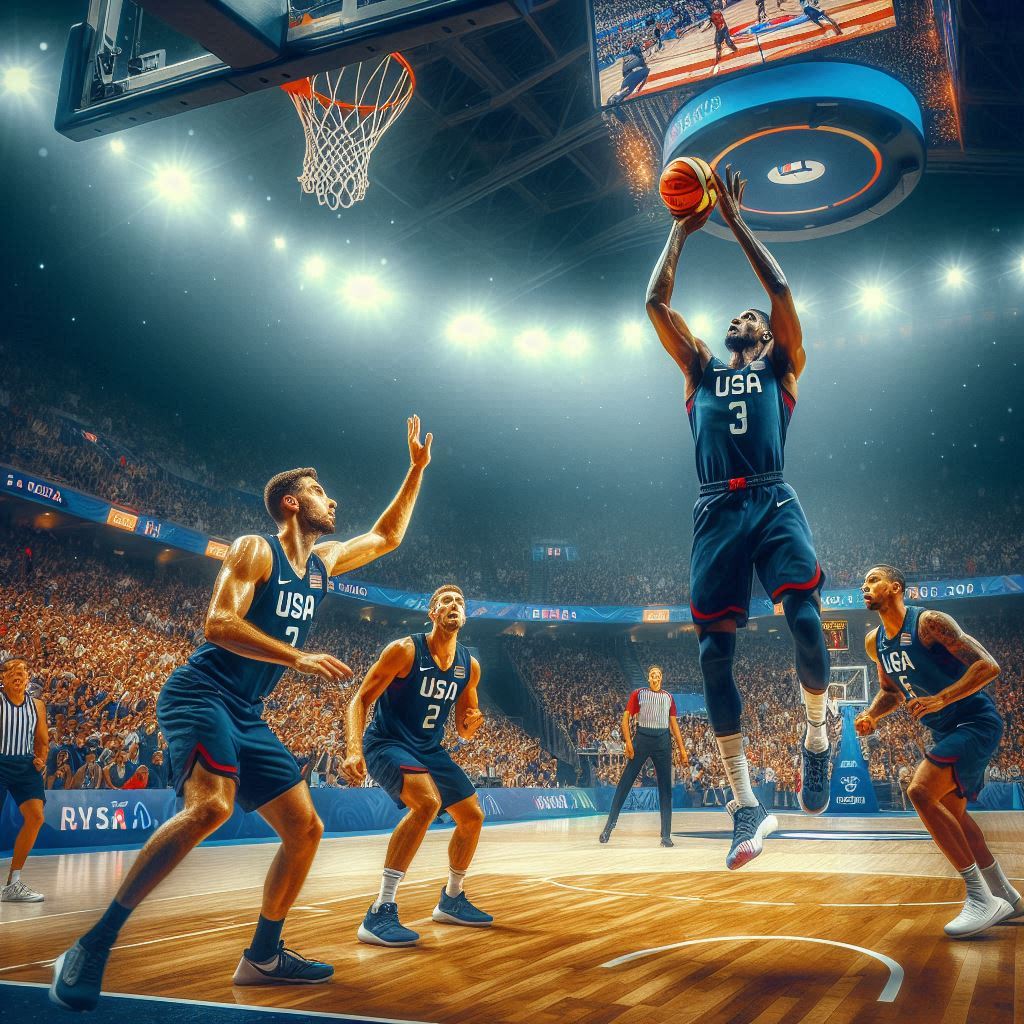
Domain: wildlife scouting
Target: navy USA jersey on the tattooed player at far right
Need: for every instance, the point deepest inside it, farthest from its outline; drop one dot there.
(920, 672)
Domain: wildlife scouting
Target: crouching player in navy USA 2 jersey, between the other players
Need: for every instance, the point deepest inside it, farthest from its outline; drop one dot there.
(417, 682)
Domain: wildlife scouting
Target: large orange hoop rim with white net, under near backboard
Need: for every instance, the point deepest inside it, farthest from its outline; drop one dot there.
(345, 115)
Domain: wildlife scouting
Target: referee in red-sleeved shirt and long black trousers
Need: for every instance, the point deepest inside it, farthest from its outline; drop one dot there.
(656, 715)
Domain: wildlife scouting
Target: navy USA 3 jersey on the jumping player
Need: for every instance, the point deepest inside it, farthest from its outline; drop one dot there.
(739, 419)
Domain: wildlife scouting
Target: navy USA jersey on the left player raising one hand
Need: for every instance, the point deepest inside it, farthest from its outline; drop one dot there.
(284, 609)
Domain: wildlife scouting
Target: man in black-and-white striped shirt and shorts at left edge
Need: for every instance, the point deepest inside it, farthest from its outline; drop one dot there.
(24, 743)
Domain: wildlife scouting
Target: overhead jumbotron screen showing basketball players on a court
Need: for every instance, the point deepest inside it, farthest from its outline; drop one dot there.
(647, 47)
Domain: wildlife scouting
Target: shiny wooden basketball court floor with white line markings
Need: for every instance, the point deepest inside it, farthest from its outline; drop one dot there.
(844, 929)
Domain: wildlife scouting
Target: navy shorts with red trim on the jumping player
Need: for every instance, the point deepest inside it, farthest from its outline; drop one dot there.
(763, 529)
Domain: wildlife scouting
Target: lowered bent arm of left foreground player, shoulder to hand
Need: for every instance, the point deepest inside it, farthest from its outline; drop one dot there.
(248, 565)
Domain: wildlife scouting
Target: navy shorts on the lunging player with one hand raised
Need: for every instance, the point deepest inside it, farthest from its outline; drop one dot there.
(202, 723)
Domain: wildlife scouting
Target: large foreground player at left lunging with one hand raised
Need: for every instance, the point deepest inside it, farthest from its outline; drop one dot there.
(210, 714)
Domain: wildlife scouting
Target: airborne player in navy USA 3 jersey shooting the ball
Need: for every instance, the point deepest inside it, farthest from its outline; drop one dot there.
(747, 518)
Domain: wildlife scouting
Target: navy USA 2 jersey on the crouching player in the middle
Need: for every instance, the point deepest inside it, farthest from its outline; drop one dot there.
(414, 709)
